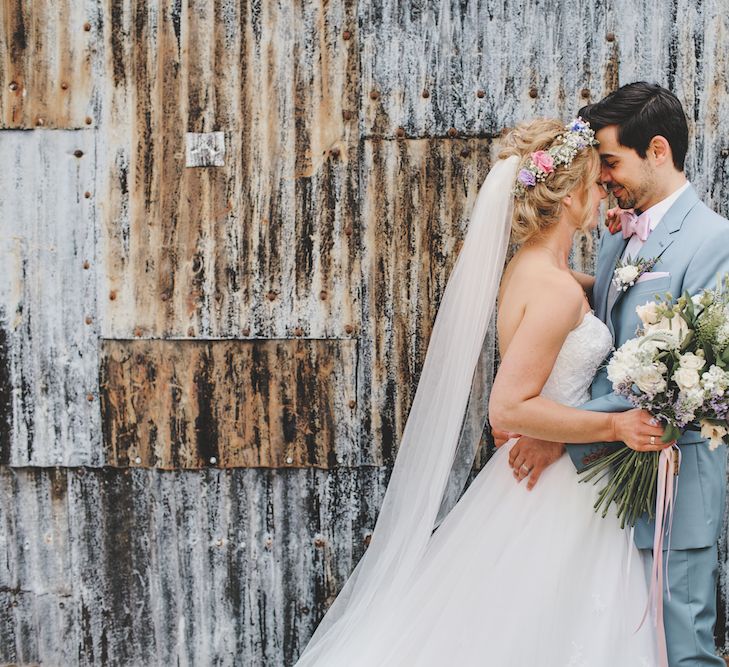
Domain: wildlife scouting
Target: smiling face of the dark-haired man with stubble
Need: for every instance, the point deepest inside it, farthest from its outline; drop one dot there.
(624, 173)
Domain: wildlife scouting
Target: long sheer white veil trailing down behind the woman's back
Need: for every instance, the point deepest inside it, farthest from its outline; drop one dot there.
(427, 476)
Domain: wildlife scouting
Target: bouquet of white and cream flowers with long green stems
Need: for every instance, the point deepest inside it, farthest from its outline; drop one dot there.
(677, 368)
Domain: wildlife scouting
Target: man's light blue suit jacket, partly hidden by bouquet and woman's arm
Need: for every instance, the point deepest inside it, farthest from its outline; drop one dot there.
(693, 245)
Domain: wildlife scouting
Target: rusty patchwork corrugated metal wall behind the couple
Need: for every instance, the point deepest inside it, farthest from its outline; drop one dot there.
(225, 227)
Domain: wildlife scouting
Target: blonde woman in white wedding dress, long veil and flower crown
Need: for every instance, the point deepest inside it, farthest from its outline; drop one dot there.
(510, 577)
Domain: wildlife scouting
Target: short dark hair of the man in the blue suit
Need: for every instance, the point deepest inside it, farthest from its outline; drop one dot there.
(642, 111)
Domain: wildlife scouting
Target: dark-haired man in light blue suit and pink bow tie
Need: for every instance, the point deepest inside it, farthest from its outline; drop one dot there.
(643, 139)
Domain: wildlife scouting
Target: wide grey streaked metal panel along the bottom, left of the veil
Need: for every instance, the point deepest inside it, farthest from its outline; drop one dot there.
(150, 567)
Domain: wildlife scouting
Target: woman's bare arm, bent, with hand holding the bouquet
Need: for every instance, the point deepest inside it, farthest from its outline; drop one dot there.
(516, 404)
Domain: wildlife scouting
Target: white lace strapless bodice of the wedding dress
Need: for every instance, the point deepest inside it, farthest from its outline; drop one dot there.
(584, 349)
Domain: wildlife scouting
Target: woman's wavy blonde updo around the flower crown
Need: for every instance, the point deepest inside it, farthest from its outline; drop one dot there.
(537, 207)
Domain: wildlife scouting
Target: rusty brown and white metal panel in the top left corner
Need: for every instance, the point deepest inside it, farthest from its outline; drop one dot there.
(47, 51)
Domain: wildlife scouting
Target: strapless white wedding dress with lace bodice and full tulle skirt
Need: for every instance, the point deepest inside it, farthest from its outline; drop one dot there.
(515, 577)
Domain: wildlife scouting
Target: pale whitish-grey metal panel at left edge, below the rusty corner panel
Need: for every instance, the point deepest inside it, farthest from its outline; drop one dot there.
(49, 358)
